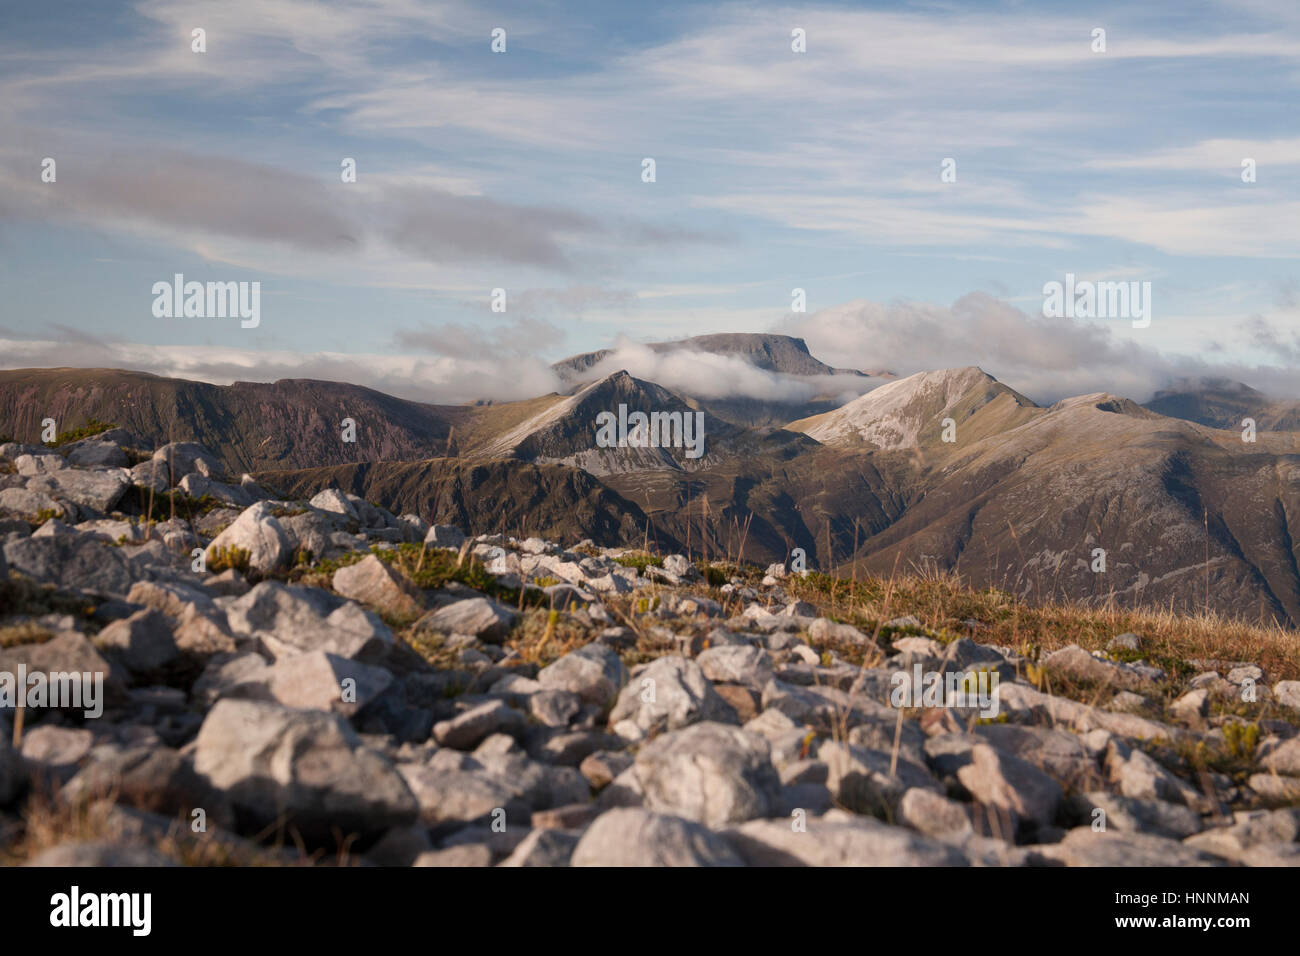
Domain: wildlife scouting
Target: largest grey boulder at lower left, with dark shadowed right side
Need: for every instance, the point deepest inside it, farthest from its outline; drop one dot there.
(305, 769)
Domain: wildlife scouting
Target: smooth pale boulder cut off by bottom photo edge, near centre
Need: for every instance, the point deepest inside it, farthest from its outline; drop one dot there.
(632, 837)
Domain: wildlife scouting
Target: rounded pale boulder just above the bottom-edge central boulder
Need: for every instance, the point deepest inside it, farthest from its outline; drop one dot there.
(712, 773)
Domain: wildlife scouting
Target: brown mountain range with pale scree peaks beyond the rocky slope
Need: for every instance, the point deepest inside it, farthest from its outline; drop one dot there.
(1093, 499)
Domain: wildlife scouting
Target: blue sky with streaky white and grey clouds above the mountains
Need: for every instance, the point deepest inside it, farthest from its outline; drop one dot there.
(774, 171)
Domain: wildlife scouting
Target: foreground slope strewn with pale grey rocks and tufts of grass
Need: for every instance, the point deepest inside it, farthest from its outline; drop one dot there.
(250, 719)
